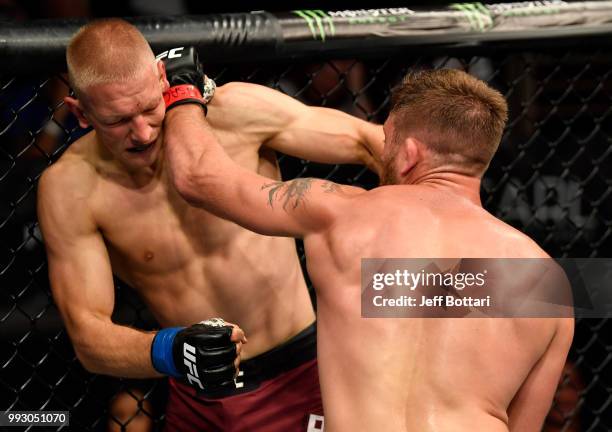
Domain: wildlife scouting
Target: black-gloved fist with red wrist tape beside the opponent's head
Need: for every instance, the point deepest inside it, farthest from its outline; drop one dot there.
(188, 83)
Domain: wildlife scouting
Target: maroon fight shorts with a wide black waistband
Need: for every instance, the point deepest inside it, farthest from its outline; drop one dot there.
(276, 391)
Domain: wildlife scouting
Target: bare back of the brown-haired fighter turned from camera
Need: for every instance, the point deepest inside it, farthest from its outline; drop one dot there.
(463, 374)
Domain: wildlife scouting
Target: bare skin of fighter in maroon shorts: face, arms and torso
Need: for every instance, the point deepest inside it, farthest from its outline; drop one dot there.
(116, 211)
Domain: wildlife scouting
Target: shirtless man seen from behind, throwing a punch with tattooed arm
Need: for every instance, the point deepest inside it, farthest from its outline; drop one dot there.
(389, 374)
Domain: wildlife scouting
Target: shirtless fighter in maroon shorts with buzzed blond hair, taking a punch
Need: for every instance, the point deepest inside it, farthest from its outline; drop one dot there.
(107, 206)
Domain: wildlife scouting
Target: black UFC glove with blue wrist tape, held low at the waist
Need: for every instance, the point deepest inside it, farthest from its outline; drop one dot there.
(202, 354)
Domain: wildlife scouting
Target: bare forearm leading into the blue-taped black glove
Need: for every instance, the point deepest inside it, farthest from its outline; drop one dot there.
(110, 349)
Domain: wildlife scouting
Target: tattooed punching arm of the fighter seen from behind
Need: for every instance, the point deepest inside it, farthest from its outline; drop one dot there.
(206, 177)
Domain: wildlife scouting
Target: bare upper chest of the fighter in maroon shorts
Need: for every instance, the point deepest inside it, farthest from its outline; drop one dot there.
(156, 230)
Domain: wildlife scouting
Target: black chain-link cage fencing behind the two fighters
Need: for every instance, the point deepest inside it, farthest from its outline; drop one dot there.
(552, 179)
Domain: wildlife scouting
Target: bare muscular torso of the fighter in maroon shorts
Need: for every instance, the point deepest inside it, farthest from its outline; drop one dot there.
(189, 265)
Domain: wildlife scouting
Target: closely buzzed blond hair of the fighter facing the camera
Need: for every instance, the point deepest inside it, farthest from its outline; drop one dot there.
(106, 50)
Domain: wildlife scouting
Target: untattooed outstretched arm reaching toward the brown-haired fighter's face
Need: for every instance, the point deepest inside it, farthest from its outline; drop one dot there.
(284, 124)
